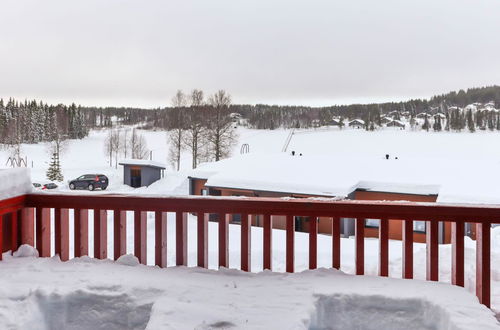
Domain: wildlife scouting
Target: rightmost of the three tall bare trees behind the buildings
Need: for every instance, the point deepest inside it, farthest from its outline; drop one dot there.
(220, 132)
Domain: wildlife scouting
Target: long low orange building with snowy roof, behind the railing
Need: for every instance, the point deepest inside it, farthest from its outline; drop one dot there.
(277, 176)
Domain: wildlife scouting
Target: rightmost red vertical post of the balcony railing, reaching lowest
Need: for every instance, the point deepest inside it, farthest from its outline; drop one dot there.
(483, 285)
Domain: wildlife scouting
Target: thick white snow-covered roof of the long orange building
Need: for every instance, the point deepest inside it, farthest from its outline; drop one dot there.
(313, 175)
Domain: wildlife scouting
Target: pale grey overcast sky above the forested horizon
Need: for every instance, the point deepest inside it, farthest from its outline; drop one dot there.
(139, 52)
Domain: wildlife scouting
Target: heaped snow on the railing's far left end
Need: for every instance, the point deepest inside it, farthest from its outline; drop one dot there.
(15, 182)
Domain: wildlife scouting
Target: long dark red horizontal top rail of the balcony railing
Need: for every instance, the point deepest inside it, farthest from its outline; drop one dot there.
(273, 206)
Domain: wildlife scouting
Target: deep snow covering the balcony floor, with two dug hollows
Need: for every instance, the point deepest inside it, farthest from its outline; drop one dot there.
(105, 295)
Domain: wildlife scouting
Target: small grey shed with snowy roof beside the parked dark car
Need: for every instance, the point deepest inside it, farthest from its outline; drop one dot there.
(141, 173)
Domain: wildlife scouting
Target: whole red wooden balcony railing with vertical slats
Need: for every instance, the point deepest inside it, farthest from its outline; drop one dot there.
(34, 213)
